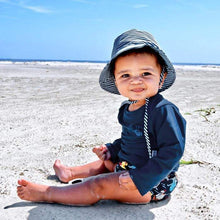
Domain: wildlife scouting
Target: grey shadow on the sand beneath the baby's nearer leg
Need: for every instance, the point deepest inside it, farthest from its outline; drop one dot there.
(101, 210)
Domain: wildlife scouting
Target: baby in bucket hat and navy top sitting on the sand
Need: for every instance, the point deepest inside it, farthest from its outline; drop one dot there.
(140, 166)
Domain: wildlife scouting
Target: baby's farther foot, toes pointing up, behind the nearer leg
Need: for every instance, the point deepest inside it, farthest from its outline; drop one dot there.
(62, 172)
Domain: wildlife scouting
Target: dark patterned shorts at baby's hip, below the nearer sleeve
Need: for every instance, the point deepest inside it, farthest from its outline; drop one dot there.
(164, 188)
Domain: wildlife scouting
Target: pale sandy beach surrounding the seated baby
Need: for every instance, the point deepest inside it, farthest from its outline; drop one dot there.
(57, 110)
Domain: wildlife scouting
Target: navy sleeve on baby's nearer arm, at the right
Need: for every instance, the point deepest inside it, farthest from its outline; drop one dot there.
(168, 129)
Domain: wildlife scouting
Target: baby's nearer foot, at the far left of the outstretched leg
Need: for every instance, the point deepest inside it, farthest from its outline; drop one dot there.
(31, 191)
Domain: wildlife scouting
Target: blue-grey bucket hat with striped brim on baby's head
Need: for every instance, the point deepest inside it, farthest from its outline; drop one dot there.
(130, 40)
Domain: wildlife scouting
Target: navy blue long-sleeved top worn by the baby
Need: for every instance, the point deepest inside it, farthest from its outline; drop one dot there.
(166, 130)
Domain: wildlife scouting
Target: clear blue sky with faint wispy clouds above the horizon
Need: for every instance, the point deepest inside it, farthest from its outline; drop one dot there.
(188, 30)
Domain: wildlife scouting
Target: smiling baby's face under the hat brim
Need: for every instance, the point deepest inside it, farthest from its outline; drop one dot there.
(137, 76)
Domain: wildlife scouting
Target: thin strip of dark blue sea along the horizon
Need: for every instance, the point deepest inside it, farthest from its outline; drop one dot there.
(94, 61)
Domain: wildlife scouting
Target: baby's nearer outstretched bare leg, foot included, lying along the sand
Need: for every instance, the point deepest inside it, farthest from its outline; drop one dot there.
(104, 186)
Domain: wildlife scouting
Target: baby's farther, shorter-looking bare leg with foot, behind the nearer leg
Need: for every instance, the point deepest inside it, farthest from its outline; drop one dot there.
(65, 174)
